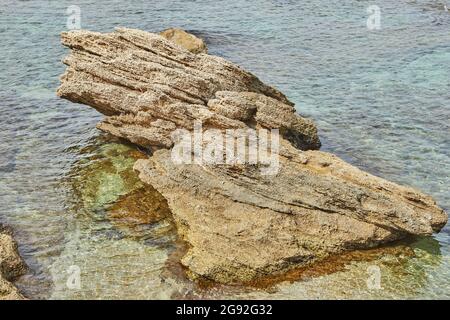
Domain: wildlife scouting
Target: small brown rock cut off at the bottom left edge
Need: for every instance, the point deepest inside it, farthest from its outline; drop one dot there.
(11, 266)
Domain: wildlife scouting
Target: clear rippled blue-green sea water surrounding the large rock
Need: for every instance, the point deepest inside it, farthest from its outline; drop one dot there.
(379, 97)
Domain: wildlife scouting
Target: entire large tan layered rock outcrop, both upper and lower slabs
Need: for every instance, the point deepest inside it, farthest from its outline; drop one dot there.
(239, 224)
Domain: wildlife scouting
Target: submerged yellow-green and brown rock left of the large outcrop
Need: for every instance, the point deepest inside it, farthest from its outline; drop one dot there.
(110, 190)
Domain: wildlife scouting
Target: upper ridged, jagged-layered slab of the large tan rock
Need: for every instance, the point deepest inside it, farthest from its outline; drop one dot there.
(148, 87)
